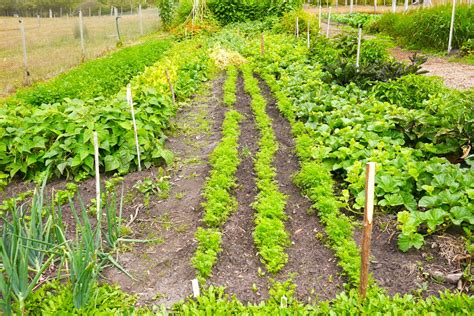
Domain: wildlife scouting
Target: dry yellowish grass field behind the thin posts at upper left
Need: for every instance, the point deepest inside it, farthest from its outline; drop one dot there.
(53, 45)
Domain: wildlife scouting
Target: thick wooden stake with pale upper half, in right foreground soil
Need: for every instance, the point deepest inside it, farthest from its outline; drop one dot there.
(367, 235)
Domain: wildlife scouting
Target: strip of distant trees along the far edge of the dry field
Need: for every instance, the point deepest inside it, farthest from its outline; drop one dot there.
(63, 7)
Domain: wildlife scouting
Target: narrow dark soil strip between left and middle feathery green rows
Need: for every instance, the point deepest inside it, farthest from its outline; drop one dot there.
(238, 263)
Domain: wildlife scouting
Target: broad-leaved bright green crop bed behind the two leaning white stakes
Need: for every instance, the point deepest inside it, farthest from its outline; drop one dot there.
(58, 137)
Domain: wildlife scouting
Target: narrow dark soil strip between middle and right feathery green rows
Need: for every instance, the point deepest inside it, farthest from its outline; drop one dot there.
(317, 274)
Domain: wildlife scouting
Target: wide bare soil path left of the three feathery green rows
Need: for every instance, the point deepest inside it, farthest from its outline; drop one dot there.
(163, 270)
